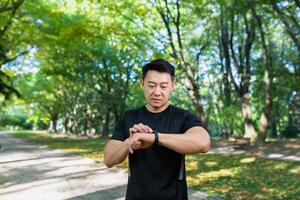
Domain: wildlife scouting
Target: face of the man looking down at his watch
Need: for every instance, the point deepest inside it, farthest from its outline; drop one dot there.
(157, 88)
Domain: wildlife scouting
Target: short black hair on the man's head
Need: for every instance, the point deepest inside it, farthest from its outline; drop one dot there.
(159, 65)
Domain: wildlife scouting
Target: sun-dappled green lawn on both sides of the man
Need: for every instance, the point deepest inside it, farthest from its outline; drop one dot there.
(230, 176)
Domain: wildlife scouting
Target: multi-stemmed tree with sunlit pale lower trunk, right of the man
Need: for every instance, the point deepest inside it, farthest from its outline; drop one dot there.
(237, 38)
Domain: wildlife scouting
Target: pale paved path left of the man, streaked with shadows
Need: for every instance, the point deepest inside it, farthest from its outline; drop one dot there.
(34, 172)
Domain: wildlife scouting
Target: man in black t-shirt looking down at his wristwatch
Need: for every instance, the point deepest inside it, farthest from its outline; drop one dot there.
(156, 137)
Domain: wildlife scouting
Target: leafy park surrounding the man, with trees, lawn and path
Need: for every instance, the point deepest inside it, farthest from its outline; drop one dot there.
(69, 70)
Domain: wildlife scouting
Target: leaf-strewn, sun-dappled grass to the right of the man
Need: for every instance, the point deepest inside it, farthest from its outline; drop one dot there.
(239, 176)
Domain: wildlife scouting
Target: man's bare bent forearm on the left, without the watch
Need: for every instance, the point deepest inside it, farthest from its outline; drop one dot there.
(115, 153)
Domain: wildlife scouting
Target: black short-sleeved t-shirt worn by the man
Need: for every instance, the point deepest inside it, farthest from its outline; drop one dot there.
(156, 173)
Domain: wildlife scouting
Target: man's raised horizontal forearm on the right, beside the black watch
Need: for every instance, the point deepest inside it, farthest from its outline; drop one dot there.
(188, 143)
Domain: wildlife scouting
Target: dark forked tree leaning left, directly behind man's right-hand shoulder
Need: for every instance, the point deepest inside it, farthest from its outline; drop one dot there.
(180, 51)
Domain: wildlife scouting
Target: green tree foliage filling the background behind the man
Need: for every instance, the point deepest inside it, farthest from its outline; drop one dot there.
(77, 64)
